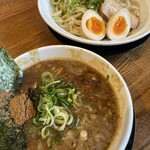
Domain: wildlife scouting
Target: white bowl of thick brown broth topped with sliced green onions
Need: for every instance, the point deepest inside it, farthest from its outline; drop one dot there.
(100, 114)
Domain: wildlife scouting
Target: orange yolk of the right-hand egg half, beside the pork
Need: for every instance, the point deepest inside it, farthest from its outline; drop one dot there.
(119, 25)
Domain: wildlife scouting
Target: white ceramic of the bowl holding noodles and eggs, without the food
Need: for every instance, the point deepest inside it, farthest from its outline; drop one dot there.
(143, 29)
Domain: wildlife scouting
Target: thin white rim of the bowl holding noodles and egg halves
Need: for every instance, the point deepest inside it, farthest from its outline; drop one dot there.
(72, 37)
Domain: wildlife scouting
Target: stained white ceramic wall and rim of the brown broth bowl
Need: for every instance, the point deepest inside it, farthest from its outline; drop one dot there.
(105, 68)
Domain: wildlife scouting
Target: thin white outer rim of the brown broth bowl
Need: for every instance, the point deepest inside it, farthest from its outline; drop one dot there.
(130, 123)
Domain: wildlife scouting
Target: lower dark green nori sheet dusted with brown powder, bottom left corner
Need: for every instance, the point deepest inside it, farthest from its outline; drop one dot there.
(12, 136)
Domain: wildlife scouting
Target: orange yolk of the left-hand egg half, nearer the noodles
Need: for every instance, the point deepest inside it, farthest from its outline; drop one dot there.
(95, 26)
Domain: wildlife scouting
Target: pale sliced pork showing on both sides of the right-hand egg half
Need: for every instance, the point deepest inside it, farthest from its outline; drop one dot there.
(109, 7)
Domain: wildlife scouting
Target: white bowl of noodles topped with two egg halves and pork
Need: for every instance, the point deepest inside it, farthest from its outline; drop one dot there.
(69, 18)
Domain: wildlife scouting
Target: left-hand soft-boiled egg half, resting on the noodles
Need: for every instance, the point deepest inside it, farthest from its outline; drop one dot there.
(92, 25)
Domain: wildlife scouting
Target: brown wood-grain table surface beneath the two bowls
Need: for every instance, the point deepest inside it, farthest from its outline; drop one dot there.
(22, 29)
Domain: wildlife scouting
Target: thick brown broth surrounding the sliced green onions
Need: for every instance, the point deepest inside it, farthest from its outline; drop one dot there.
(98, 116)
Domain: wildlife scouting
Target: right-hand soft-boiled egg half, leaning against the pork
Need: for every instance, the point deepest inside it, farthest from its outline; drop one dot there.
(119, 25)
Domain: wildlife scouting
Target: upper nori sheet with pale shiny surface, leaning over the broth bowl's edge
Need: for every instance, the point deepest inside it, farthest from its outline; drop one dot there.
(11, 76)
